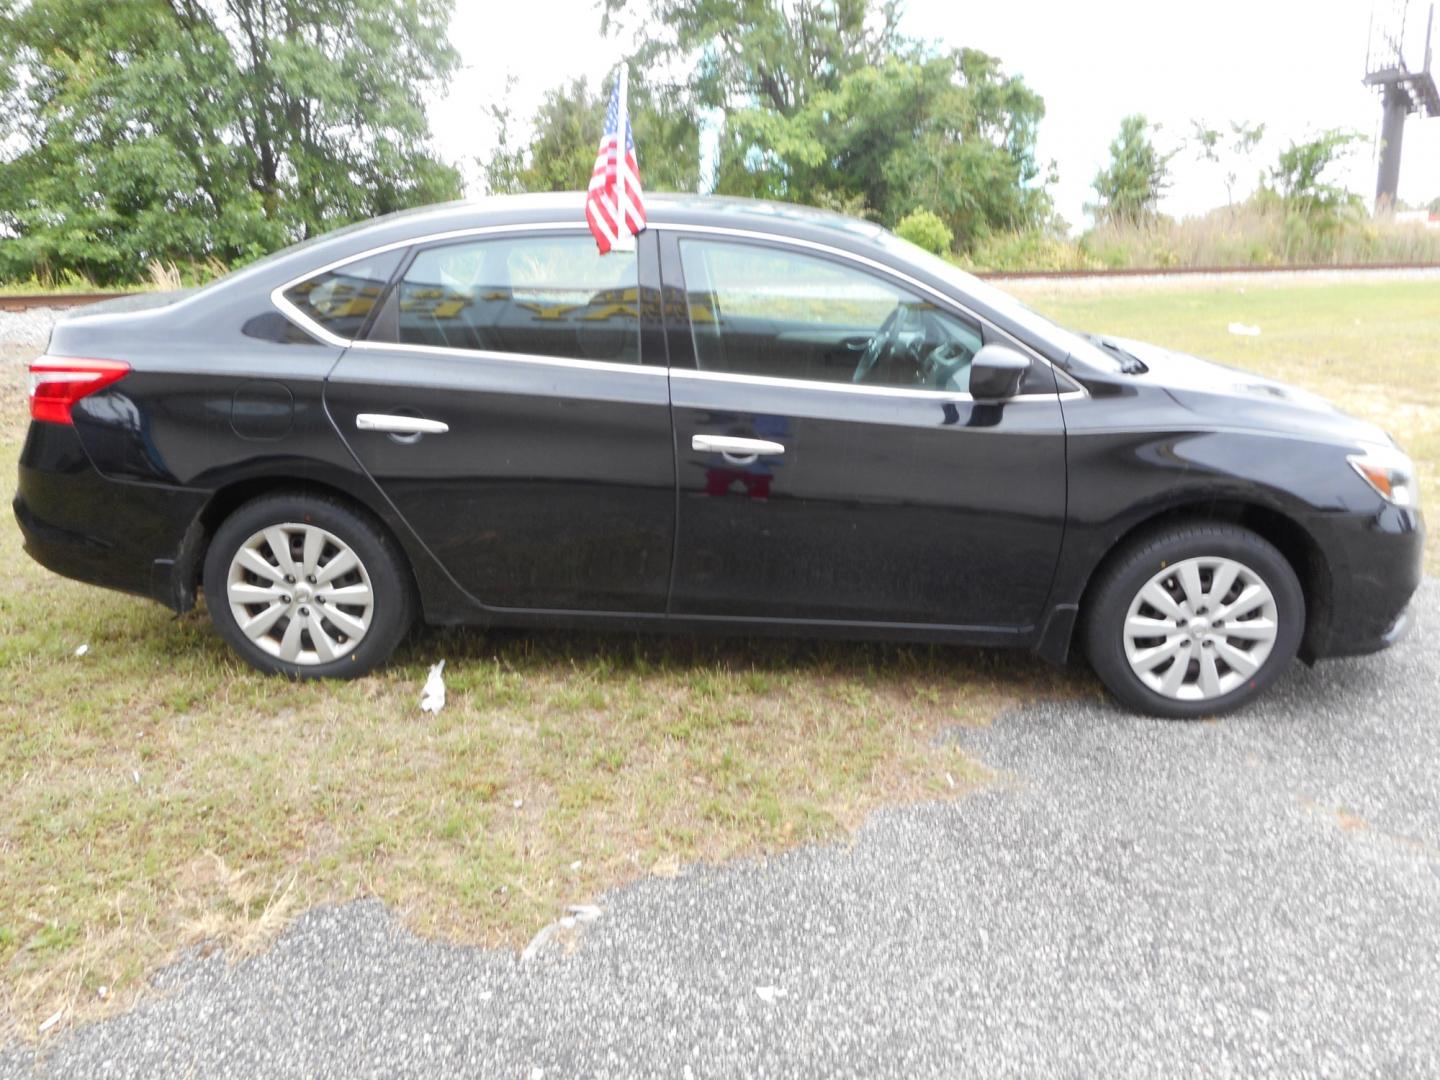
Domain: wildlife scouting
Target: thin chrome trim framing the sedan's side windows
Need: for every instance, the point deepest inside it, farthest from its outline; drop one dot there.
(310, 326)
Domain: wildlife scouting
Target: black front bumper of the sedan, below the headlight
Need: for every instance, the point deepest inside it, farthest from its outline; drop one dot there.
(1376, 565)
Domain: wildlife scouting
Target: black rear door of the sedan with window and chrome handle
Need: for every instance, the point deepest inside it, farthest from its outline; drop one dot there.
(512, 407)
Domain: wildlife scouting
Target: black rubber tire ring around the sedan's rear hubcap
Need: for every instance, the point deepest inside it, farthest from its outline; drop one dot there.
(384, 565)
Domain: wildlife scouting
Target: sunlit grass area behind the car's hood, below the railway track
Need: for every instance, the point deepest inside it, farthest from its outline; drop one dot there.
(1372, 348)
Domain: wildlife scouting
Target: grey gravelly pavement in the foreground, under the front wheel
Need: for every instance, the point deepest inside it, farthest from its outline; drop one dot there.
(1258, 896)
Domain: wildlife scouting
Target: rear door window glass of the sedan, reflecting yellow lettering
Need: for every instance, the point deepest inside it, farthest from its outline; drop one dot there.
(542, 296)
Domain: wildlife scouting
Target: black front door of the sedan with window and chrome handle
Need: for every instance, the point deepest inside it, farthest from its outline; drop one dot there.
(830, 460)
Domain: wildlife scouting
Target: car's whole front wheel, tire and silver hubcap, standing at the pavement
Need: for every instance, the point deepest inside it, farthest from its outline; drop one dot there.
(1194, 621)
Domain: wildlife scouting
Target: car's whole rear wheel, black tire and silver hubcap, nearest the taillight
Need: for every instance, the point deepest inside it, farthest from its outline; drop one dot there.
(305, 587)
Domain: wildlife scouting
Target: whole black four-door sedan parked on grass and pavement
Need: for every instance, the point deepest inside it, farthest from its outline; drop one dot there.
(765, 418)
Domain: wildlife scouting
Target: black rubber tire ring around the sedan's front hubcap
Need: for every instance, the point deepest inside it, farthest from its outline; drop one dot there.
(1133, 570)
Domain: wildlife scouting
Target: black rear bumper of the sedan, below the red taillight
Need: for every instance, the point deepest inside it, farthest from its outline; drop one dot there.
(102, 532)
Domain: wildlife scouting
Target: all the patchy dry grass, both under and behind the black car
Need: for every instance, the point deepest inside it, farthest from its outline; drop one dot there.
(155, 794)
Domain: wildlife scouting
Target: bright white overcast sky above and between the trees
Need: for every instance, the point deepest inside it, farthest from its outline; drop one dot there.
(1295, 66)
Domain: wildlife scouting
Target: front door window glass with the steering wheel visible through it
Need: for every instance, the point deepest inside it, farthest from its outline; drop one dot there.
(758, 310)
